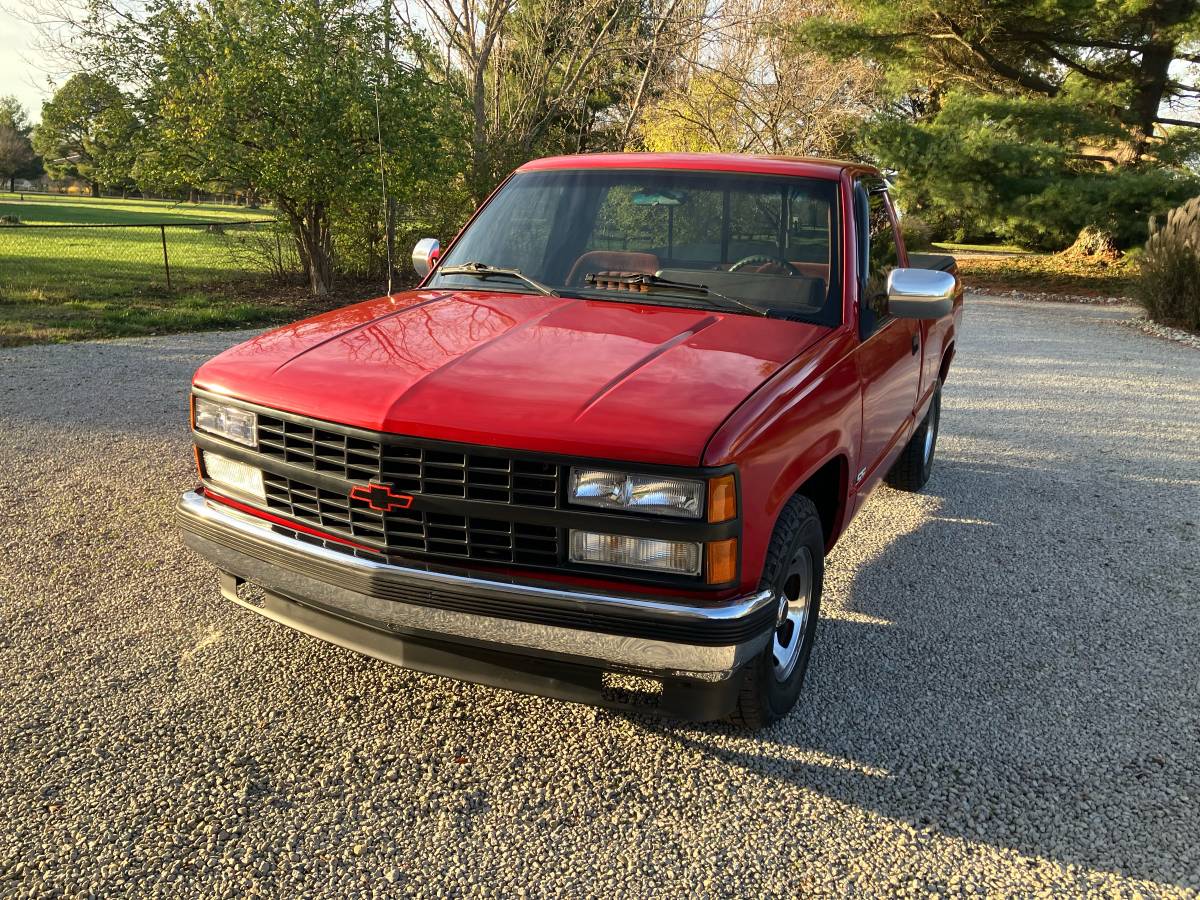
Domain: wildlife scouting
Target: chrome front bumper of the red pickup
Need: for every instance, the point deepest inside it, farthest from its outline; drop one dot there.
(703, 641)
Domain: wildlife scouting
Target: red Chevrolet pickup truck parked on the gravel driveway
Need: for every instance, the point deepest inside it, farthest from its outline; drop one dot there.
(602, 452)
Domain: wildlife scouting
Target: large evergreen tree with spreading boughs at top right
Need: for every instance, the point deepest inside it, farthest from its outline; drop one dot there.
(1029, 122)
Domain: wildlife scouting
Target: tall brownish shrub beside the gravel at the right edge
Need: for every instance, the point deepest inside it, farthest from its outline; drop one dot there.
(1169, 273)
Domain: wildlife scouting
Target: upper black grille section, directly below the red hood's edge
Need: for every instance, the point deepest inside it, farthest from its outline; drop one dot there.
(416, 469)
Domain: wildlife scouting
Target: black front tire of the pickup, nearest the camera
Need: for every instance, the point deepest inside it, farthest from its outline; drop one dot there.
(767, 693)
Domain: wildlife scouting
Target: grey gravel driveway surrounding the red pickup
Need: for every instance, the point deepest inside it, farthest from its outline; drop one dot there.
(1005, 694)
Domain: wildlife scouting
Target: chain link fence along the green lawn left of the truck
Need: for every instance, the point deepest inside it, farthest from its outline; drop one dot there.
(101, 261)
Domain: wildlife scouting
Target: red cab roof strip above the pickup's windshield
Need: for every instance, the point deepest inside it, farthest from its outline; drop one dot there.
(805, 166)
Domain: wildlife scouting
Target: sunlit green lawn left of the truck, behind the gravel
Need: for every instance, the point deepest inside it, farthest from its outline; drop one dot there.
(68, 285)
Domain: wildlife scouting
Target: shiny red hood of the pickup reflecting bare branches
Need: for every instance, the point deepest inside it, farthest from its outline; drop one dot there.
(579, 377)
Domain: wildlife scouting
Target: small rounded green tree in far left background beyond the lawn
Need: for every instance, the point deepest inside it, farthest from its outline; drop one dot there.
(88, 131)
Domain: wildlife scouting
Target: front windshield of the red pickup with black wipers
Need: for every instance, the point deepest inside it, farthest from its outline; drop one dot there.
(764, 242)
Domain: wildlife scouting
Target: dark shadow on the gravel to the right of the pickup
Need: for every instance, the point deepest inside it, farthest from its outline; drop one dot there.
(1034, 688)
